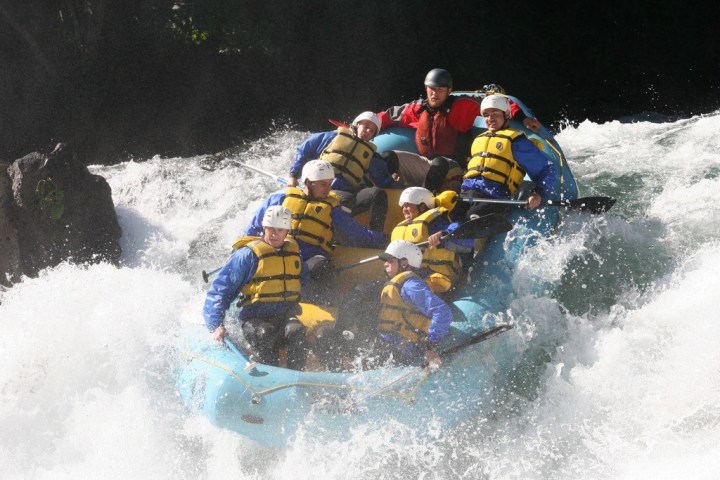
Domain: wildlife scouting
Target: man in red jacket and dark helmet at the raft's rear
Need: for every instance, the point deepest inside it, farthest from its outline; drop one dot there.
(442, 126)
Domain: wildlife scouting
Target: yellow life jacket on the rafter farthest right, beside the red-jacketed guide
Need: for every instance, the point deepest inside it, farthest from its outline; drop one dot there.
(492, 158)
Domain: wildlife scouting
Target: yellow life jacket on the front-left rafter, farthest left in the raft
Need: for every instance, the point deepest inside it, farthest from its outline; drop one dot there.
(277, 278)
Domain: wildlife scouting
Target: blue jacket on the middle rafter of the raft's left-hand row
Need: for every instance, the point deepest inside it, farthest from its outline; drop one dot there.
(357, 235)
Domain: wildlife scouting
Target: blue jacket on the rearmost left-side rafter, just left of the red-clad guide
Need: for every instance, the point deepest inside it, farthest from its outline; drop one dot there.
(313, 147)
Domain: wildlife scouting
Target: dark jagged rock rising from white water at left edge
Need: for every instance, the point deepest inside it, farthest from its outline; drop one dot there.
(52, 209)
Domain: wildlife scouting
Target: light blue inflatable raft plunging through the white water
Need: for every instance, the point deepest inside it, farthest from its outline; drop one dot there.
(273, 405)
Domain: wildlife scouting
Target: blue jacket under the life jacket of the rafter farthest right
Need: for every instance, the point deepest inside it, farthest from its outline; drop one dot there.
(538, 167)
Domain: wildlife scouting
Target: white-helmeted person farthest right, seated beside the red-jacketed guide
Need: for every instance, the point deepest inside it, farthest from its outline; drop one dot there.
(500, 159)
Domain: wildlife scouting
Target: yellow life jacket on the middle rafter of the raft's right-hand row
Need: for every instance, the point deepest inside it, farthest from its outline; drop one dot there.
(439, 260)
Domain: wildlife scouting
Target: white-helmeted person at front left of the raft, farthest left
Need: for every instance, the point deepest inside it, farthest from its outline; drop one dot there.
(263, 275)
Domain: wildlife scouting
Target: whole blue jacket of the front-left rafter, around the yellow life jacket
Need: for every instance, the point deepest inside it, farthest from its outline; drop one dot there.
(226, 287)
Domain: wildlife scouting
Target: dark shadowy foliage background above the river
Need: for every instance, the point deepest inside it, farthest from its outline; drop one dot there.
(178, 77)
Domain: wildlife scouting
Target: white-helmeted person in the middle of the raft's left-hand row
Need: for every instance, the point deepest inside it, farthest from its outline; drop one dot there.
(317, 215)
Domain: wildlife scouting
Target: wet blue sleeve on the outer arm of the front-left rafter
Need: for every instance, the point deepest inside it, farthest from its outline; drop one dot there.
(227, 285)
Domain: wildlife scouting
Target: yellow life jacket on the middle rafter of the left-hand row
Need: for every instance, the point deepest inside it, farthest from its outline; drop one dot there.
(311, 218)
